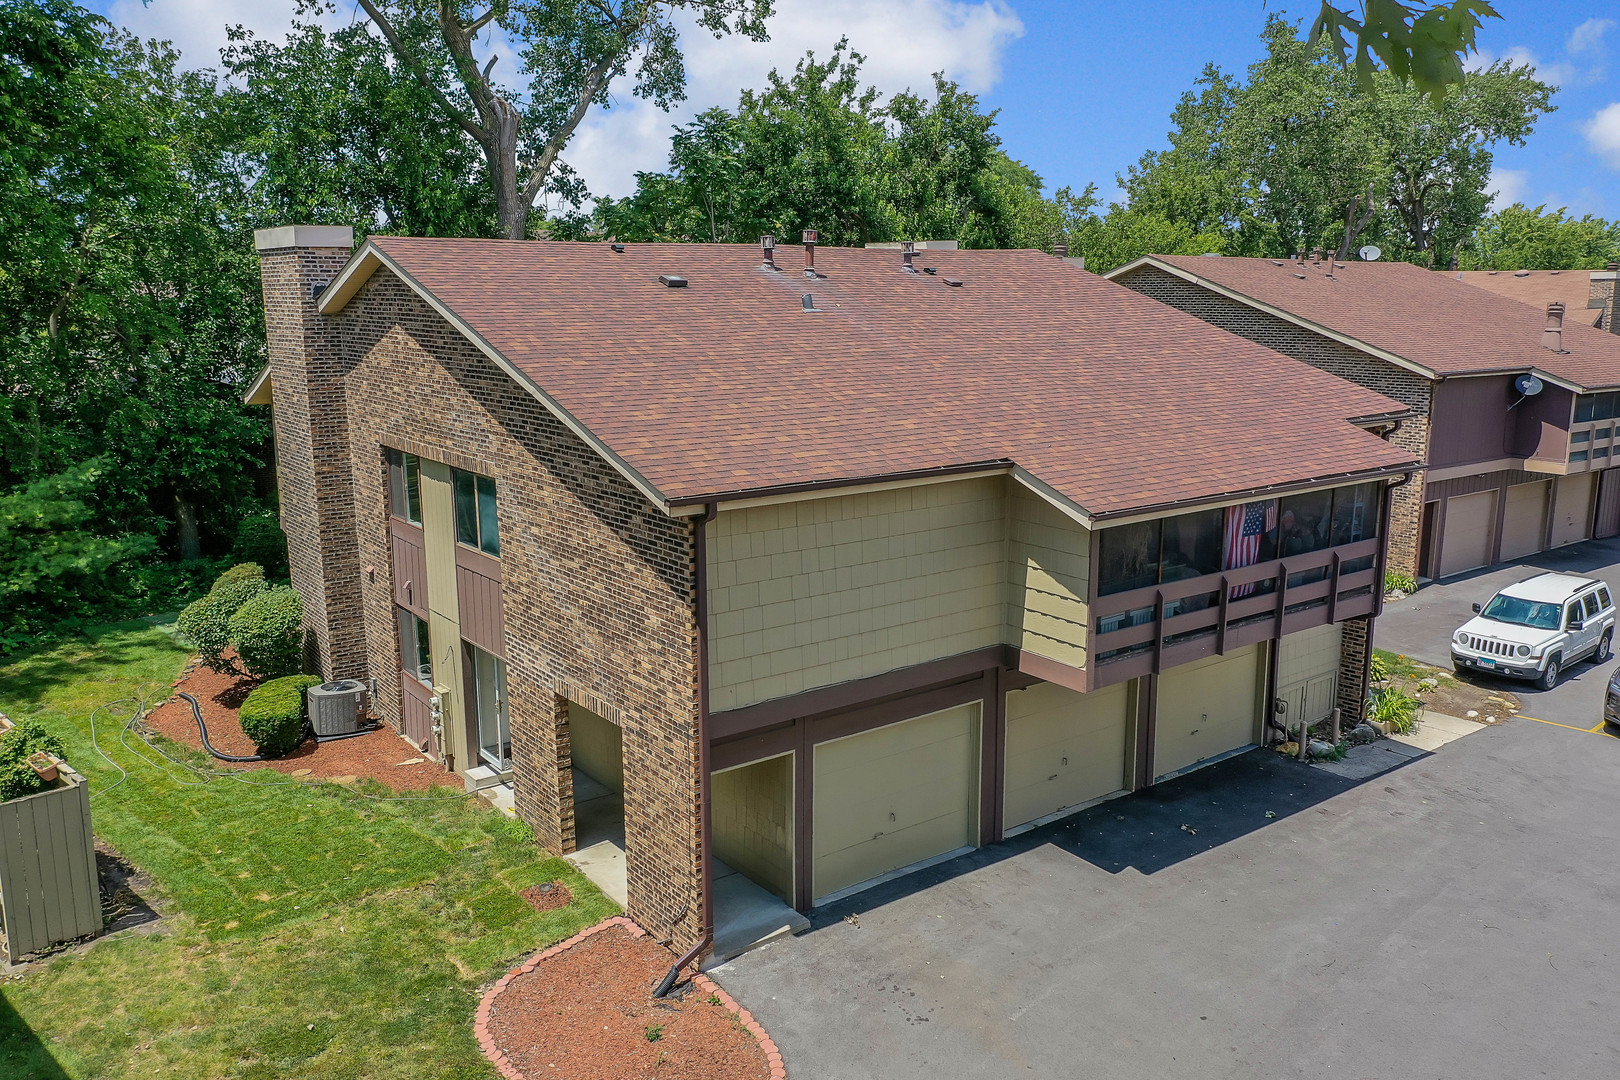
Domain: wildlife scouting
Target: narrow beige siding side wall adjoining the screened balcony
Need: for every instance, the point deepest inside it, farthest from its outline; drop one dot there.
(1049, 569)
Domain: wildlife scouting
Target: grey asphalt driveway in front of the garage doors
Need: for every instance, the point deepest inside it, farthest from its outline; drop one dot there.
(1451, 919)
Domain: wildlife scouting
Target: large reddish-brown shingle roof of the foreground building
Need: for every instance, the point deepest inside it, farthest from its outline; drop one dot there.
(728, 386)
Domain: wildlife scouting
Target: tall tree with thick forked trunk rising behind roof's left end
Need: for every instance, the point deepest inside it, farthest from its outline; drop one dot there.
(571, 53)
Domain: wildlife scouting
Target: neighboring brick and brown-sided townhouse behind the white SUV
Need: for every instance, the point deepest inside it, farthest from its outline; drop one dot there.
(1517, 464)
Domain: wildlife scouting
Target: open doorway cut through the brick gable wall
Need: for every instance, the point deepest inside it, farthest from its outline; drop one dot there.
(597, 750)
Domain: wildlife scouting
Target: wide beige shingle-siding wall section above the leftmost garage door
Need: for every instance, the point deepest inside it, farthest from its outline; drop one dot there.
(817, 593)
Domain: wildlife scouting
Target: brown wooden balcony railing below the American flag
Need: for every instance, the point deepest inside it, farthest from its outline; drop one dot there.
(1177, 623)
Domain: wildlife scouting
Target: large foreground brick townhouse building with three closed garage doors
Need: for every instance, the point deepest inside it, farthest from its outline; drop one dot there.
(808, 572)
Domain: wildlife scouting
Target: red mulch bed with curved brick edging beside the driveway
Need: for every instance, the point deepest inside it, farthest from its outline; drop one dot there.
(586, 1014)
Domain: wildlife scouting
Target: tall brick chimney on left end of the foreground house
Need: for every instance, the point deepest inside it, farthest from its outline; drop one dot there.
(313, 469)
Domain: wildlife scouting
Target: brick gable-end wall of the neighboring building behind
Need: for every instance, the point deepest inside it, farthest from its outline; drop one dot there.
(1328, 355)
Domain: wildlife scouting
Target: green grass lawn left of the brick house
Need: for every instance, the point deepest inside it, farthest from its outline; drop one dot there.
(309, 933)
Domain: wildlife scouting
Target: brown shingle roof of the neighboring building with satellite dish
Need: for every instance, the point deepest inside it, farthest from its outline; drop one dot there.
(1430, 320)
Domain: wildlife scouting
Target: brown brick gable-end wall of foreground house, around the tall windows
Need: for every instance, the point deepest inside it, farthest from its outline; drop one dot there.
(597, 585)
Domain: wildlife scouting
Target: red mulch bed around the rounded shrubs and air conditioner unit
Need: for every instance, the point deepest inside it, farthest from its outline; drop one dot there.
(380, 755)
